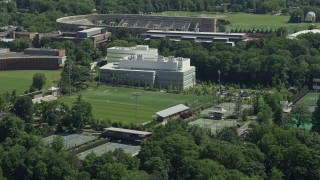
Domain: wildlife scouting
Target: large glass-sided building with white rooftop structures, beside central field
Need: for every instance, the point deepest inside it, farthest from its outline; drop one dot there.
(161, 72)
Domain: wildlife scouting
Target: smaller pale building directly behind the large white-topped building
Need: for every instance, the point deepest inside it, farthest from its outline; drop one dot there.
(116, 53)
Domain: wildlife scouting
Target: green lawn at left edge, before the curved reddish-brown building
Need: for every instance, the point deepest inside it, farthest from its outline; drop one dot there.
(22, 79)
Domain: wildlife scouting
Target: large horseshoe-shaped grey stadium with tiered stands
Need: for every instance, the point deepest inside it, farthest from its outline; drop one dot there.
(137, 23)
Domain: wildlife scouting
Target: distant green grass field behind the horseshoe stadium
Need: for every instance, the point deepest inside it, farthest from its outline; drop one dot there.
(247, 21)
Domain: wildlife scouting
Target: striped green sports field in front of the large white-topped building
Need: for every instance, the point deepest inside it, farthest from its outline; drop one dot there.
(117, 103)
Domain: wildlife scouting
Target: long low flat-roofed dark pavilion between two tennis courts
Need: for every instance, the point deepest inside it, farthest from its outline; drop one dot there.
(125, 134)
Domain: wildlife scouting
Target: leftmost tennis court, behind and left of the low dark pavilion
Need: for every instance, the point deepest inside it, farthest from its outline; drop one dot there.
(72, 140)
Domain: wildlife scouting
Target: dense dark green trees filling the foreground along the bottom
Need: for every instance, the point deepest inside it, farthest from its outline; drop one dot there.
(175, 151)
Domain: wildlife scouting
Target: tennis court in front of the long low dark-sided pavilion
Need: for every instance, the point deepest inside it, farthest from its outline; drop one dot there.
(110, 146)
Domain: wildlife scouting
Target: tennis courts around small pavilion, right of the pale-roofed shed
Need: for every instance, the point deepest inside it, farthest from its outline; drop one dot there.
(214, 125)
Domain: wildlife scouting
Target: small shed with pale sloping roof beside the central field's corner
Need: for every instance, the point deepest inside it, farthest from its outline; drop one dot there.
(172, 112)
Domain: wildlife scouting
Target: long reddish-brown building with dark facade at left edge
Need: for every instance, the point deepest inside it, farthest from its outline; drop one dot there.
(32, 59)
